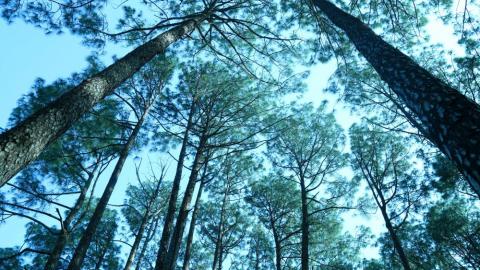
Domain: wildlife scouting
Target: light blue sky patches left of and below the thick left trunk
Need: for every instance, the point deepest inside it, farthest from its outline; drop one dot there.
(26, 54)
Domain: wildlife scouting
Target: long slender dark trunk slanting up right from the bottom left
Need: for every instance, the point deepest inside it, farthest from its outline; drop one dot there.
(81, 249)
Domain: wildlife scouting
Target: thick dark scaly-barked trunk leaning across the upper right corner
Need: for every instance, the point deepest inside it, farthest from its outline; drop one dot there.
(449, 120)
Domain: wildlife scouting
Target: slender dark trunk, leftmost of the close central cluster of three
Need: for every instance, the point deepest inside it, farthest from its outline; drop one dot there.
(172, 203)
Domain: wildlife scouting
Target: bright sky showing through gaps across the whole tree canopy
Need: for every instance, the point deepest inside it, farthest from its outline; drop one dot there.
(26, 53)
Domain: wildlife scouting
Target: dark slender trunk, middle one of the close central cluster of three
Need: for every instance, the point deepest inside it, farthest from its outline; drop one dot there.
(176, 241)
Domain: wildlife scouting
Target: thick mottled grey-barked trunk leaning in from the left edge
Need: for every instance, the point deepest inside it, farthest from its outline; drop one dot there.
(24, 142)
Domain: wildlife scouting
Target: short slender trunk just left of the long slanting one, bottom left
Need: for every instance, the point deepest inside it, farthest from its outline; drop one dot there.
(62, 239)
